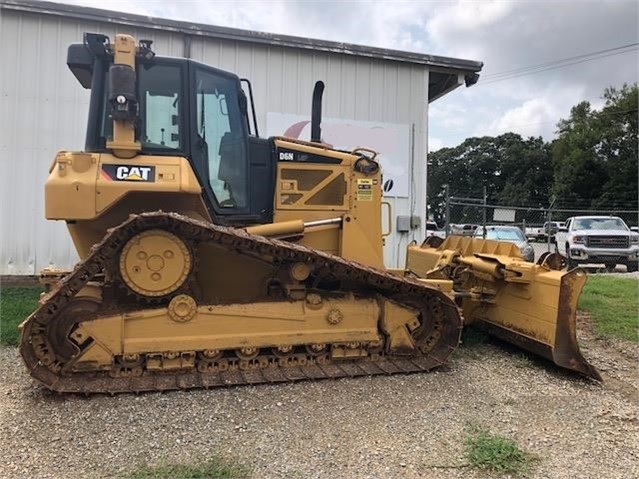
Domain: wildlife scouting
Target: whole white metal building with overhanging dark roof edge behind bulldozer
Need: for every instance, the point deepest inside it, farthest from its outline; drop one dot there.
(373, 95)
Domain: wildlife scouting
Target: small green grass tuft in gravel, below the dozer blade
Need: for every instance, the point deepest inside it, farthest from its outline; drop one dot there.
(494, 453)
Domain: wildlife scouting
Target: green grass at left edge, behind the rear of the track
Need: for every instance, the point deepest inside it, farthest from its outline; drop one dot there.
(16, 303)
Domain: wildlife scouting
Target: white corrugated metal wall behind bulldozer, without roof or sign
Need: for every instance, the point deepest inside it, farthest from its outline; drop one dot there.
(44, 110)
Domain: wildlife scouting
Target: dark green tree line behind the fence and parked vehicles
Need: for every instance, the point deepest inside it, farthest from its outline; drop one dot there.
(593, 163)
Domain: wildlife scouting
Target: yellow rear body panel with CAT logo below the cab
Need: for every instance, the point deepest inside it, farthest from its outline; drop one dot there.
(84, 189)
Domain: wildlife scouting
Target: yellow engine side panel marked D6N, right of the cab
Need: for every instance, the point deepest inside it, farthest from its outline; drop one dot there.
(318, 184)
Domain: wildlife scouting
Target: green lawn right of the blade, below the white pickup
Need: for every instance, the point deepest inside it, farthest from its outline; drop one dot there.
(613, 303)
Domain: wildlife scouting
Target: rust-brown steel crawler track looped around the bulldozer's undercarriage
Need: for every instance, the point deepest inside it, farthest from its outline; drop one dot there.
(103, 254)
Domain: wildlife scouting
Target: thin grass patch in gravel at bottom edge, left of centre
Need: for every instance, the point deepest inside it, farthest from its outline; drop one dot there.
(215, 468)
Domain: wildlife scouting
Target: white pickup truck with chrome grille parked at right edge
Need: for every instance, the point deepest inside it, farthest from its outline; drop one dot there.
(603, 240)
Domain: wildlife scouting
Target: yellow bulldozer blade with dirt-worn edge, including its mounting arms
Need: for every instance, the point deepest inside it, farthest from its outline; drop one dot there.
(532, 306)
